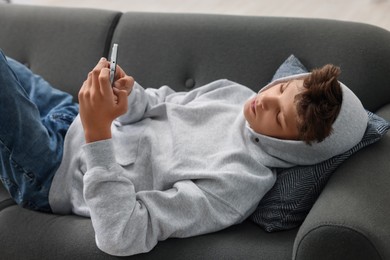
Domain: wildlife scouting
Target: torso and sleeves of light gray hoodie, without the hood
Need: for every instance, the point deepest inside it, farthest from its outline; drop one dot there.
(177, 165)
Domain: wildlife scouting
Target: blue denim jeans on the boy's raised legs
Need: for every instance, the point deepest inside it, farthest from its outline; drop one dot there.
(34, 118)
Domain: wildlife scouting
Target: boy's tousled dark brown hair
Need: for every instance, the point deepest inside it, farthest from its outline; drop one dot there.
(319, 104)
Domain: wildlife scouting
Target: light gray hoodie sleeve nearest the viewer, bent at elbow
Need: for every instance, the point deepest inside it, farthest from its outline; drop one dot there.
(127, 222)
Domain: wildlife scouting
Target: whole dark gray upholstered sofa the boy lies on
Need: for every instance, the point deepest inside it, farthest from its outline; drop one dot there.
(350, 219)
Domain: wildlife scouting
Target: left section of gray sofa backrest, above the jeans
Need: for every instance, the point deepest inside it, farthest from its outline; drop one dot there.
(61, 44)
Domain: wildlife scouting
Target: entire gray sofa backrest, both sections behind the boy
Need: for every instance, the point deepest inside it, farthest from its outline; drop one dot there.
(189, 50)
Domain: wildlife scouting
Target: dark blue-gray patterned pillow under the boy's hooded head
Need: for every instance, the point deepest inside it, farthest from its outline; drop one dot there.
(296, 189)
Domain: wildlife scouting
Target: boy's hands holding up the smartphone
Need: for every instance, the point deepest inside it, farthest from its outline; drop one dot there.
(100, 103)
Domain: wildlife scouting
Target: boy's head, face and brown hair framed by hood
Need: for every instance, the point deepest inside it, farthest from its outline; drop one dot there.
(298, 109)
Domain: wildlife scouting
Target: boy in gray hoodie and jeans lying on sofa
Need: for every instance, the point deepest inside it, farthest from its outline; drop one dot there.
(150, 164)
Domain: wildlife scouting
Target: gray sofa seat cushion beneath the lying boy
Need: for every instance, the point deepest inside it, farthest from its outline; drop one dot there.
(33, 235)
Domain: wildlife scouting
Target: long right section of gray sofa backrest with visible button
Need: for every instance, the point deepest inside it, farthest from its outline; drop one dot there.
(182, 50)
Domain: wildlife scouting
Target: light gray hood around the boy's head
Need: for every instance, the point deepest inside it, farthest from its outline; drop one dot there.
(348, 130)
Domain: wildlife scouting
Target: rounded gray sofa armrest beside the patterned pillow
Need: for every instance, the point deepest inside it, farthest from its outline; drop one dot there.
(350, 218)
